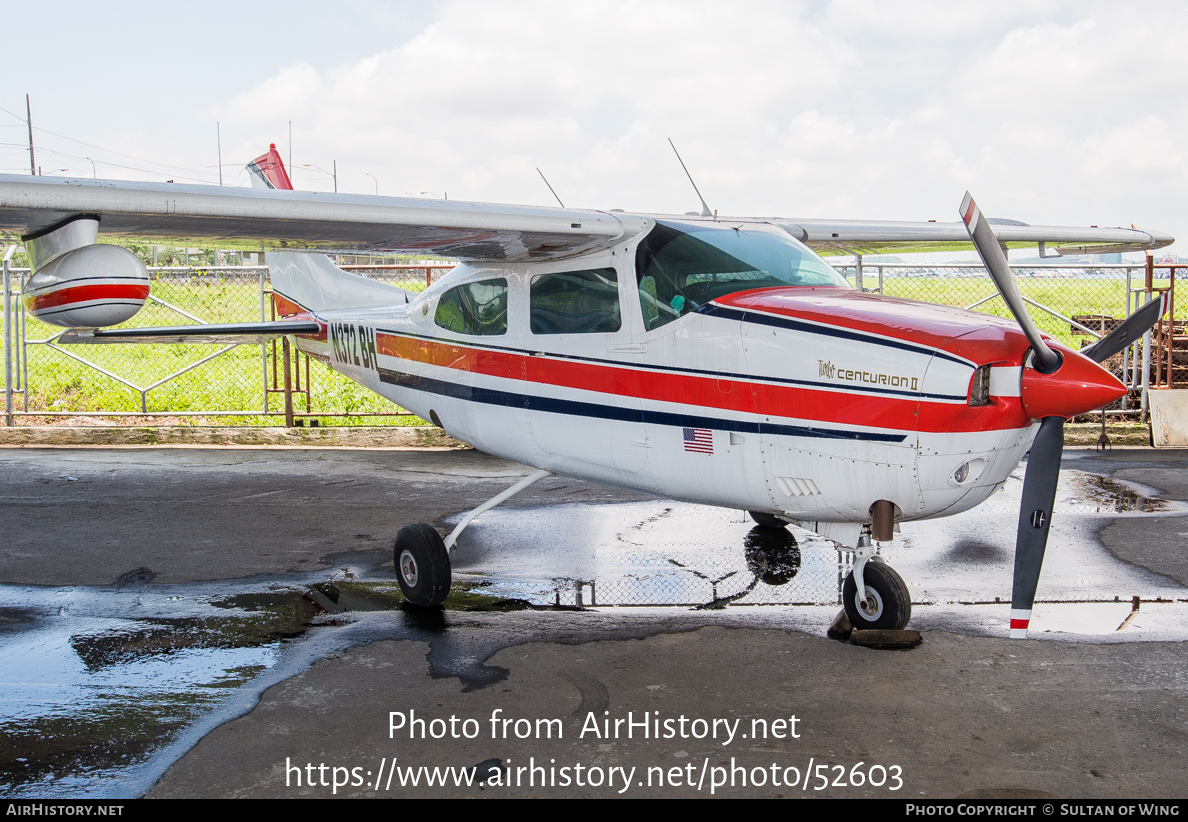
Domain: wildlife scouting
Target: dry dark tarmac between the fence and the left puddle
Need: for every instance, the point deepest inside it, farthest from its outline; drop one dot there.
(85, 517)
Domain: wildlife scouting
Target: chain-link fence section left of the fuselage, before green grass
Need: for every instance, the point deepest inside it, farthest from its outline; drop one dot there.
(233, 384)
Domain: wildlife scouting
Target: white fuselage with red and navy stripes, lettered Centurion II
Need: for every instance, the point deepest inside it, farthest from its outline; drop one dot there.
(806, 402)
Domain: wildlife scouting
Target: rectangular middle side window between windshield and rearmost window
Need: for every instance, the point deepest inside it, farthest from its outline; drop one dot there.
(576, 302)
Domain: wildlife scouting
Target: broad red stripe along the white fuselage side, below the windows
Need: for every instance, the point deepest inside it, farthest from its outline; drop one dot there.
(779, 401)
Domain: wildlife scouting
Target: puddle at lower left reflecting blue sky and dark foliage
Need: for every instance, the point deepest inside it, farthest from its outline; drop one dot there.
(94, 681)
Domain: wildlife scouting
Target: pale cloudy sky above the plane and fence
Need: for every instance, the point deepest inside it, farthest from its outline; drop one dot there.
(1067, 113)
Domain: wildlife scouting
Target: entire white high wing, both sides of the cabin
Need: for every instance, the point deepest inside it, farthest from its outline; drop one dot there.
(254, 219)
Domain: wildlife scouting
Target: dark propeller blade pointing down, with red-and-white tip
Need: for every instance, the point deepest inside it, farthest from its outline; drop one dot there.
(1035, 520)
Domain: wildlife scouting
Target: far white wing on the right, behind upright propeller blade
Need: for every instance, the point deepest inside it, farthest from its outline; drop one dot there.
(863, 237)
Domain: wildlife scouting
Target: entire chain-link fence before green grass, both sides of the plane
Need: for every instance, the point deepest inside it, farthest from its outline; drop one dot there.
(242, 384)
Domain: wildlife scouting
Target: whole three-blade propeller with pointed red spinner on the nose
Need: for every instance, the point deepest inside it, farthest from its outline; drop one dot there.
(1056, 387)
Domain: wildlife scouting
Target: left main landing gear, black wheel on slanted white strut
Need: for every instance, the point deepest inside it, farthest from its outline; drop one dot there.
(424, 559)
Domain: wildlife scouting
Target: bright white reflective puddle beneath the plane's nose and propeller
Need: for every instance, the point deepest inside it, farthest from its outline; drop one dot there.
(675, 554)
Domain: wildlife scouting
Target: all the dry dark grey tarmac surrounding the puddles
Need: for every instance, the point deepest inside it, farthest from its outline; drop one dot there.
(958, 716)
